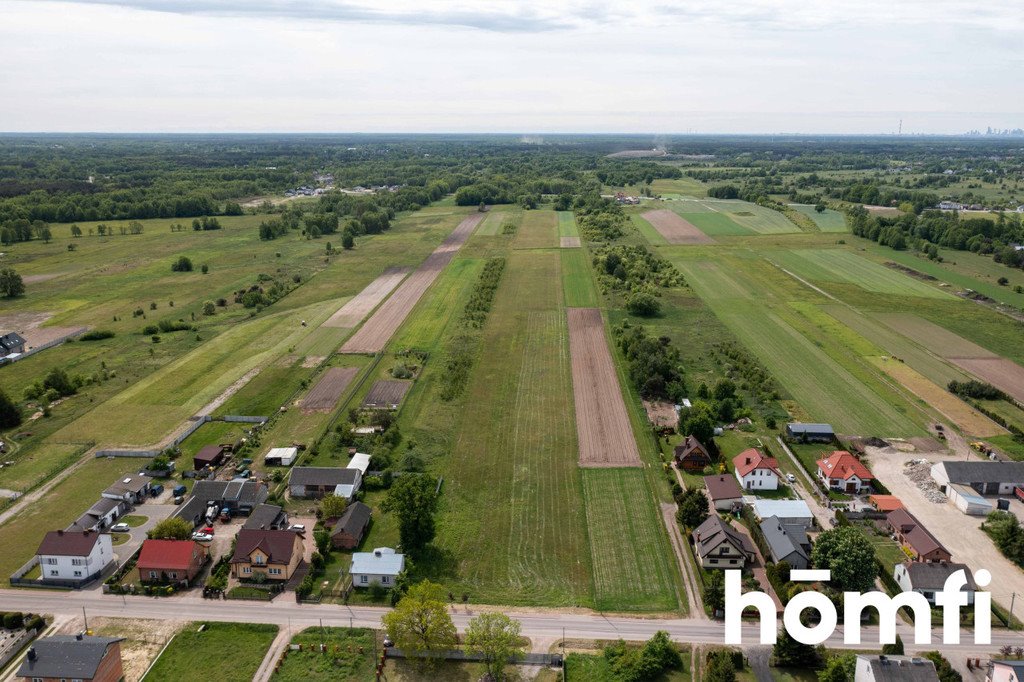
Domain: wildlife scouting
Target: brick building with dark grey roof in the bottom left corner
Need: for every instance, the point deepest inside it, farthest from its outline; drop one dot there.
(74, 658)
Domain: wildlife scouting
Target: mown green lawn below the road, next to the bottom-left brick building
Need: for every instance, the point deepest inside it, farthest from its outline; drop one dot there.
(223, 652)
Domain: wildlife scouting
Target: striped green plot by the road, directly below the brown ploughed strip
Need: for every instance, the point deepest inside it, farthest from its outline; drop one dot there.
(633, 571)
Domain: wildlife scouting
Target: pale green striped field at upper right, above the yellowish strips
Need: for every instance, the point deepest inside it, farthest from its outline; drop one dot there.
(831, 266)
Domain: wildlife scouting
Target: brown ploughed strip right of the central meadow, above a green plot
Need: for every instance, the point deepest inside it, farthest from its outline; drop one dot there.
(603, 423)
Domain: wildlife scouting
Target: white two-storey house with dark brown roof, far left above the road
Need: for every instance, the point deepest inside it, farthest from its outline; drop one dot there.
(70, 557)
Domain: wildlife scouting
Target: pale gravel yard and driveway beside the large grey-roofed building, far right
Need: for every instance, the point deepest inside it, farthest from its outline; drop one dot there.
(961, 534)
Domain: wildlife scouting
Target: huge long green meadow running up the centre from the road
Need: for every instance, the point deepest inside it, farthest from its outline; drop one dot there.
(513, 511)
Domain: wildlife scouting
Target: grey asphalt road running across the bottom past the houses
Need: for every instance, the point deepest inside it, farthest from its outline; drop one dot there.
(536, 624)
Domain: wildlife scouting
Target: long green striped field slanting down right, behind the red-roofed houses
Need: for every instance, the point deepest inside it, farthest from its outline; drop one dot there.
(802, 367)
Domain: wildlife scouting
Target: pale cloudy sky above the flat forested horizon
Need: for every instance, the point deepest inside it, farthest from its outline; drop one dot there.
(525, 67)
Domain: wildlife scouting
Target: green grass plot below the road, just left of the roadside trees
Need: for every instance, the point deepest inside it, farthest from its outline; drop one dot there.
(344, 660)
